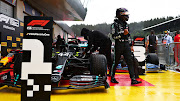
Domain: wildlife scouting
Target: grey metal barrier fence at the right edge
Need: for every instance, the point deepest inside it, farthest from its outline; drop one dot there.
(169, 55)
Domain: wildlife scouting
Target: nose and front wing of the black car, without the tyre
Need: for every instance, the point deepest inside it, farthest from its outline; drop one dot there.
(77, 71)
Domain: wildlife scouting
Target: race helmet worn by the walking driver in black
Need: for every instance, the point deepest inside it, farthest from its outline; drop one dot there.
(122, 13)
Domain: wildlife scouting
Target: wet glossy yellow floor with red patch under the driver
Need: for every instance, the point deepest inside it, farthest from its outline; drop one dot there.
(162, 86)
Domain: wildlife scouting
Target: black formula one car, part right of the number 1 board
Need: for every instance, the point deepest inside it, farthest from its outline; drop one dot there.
(81, 72)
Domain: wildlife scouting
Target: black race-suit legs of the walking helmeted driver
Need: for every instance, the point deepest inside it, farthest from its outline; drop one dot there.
(123, 48)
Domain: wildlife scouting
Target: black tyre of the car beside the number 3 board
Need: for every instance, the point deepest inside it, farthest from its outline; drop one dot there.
(152, 58)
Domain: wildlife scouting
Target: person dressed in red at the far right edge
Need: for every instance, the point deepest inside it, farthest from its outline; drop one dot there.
(177, 48)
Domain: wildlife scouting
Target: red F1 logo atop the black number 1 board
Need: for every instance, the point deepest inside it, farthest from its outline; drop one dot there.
(38, 22)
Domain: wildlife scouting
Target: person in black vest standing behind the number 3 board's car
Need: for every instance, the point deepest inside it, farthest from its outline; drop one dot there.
(152, 42)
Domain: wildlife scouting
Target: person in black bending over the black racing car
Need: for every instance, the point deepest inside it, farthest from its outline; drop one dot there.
(97, 40)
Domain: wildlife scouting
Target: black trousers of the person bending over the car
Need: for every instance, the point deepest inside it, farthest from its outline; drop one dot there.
(105, 49)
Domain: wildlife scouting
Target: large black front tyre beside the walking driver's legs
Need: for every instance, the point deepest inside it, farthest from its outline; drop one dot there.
(98, 65)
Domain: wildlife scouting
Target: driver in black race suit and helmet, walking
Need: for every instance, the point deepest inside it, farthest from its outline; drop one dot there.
(122, 47)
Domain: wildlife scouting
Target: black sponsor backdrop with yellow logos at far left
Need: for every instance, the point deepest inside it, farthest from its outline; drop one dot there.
(11, 35)
